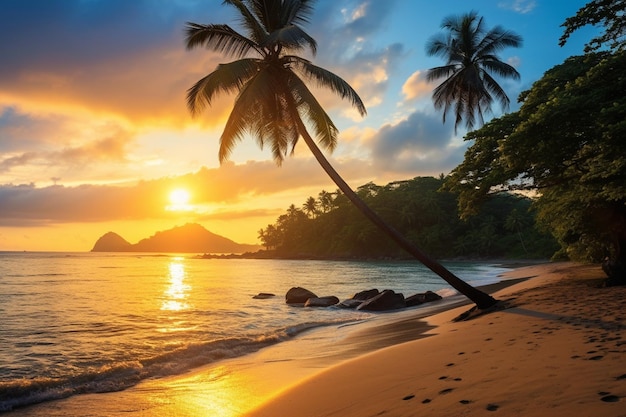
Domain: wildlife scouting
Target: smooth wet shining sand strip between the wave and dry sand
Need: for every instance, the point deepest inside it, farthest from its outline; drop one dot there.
(233, 386)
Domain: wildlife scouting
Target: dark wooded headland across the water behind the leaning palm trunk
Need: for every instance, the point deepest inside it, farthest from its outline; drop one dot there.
(504, 227)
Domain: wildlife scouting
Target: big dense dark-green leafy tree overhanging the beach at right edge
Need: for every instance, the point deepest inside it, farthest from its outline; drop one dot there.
(566, 143)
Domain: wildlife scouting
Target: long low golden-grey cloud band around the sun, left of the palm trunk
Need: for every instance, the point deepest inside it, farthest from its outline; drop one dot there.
(26, 204)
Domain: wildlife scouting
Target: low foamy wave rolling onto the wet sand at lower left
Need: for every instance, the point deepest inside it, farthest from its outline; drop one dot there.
(118, 376)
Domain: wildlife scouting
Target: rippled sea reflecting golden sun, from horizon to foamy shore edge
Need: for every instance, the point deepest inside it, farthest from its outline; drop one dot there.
(73, 323)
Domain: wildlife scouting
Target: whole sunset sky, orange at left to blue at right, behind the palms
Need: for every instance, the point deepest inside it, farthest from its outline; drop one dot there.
(95, 135)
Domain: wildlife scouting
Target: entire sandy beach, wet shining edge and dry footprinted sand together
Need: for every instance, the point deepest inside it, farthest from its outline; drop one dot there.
(556, 350)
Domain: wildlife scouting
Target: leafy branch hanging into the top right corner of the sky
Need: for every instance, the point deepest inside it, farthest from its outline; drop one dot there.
(610, 14)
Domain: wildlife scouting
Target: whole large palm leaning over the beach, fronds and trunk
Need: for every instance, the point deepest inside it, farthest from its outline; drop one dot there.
(273, 102)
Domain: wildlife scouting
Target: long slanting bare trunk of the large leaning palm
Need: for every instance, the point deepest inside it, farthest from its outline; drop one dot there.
(481, 299)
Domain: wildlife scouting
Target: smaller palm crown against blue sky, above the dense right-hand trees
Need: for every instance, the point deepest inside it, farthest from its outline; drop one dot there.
(470, 51)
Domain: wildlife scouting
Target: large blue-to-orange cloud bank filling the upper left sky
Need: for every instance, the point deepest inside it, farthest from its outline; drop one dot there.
(118, 58)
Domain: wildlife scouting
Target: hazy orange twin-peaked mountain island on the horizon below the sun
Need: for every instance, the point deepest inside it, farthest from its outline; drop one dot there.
(190, 238)
